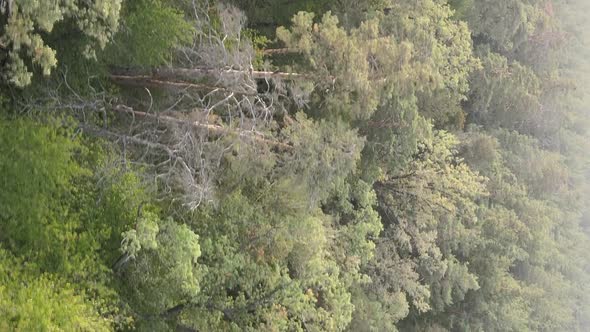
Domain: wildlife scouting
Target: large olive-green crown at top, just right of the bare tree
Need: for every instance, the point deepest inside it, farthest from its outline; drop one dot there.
(419, 49)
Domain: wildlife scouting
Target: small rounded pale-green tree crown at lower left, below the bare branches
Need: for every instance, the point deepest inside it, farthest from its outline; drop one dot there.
(165, 271)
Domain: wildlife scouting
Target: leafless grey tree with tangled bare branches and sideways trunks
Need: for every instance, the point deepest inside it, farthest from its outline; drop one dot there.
(208, 101)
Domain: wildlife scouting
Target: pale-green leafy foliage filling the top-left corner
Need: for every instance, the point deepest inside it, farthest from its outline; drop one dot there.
(28, 20)
